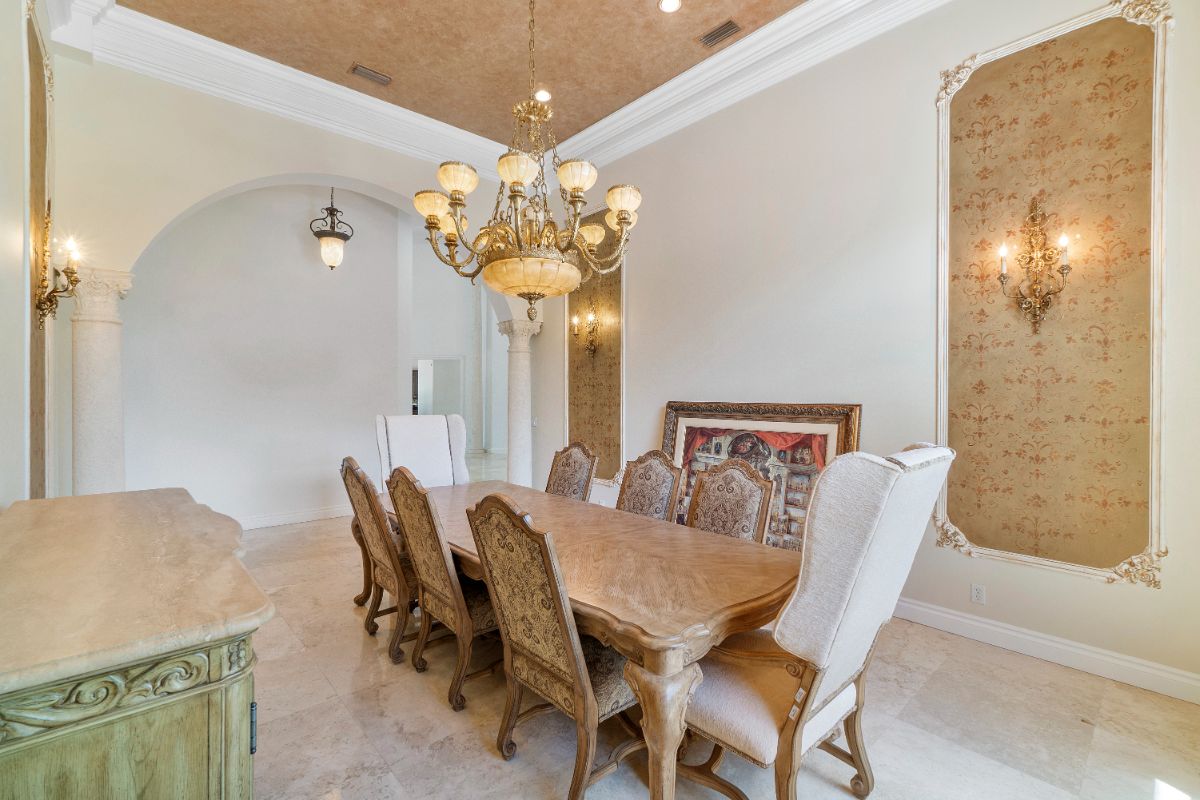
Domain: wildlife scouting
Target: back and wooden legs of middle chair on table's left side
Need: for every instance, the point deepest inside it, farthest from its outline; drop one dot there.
(437, 606)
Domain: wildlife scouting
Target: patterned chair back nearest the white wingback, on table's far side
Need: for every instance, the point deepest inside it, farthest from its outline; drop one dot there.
(733, 500)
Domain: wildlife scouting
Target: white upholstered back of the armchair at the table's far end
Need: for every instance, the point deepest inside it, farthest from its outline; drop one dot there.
(433, 447)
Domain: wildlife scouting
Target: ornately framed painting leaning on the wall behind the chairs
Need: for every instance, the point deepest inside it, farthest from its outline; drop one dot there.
(788, 444)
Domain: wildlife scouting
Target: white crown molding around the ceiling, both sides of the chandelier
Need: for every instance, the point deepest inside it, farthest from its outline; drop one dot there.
(809, 34)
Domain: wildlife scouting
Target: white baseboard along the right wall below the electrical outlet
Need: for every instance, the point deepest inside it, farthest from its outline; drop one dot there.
(1129, 670)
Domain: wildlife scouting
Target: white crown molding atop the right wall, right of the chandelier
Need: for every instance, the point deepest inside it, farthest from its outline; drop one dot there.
(812, 33)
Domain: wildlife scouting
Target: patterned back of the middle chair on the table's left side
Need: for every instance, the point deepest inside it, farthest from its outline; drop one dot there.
(428, 548)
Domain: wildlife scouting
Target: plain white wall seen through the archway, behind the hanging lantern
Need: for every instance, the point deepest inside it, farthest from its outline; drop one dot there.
(250, 368)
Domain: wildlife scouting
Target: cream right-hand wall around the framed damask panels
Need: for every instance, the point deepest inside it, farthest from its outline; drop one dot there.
(787, 252)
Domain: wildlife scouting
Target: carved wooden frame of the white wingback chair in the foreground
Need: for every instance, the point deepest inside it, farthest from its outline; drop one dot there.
(790, 755)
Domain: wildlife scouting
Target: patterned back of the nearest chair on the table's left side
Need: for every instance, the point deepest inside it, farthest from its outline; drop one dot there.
(542, 645)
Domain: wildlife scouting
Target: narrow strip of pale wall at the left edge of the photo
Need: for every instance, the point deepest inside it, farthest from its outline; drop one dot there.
(15, 306)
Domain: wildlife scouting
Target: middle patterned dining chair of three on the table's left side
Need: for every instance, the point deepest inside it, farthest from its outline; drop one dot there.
(459, 604)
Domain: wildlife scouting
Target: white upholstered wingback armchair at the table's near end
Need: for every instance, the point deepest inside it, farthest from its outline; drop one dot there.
(773, 695)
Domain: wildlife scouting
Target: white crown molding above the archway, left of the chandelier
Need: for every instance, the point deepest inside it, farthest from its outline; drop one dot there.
(127, 39)
